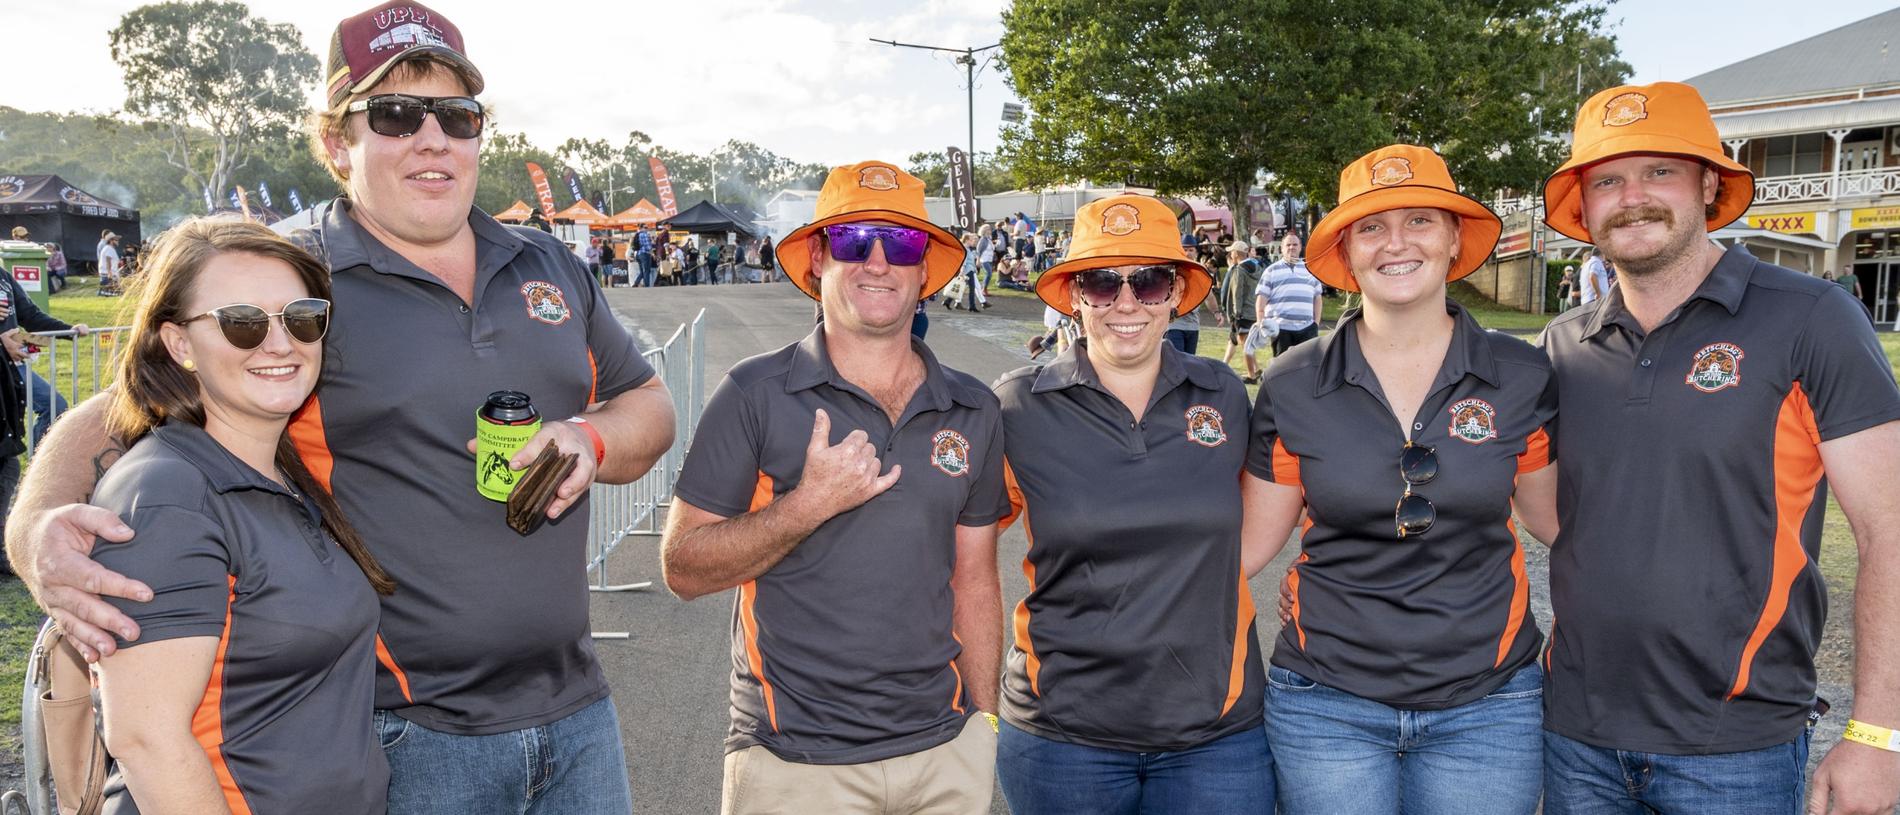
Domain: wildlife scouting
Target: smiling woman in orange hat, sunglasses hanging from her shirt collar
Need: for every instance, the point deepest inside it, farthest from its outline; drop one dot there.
(1407, 675)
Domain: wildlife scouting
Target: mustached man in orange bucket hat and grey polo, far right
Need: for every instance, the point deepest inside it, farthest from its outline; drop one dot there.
(1707, 404)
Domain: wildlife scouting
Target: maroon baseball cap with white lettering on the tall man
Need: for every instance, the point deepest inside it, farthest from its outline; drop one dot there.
(364, 48)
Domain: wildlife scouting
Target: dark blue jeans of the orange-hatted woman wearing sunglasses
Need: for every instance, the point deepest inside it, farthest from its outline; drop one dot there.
(1230, 776)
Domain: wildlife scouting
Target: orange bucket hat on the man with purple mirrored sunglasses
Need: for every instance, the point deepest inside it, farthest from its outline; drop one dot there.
(871, 191)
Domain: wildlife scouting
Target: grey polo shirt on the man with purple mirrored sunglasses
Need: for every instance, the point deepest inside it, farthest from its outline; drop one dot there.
(845, 653)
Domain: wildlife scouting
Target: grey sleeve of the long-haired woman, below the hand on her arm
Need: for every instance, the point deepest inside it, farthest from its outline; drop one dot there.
(183, 558)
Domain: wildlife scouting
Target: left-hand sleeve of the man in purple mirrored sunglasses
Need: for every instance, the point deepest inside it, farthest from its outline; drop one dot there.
(723, 472)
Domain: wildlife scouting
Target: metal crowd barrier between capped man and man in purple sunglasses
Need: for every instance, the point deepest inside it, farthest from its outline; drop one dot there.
(618, 512)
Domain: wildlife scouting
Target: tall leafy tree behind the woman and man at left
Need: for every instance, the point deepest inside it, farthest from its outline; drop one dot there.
(218, 81)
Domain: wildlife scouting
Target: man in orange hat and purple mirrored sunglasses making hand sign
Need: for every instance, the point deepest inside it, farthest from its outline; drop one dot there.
(848, 485)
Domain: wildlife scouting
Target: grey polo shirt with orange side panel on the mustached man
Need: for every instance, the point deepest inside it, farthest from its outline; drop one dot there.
(1684, 584)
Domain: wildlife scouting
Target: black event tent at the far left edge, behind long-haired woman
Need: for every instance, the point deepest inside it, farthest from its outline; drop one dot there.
(62, 214)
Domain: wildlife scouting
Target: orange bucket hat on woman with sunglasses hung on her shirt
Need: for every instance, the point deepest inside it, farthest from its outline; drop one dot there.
(1397, 178)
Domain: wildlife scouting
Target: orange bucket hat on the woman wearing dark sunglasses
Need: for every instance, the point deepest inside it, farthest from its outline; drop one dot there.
(1124, 231)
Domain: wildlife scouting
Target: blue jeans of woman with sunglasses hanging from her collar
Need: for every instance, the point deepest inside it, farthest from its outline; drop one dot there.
(1342, 755)
